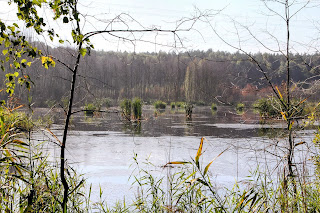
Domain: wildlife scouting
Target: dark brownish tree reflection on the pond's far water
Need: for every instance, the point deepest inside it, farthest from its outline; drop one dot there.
(223, 123)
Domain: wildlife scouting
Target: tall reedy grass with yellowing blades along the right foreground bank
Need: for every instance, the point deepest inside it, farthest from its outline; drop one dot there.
(189, 188)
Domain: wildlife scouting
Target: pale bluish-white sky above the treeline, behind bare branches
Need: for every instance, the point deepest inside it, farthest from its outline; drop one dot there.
(231, 24)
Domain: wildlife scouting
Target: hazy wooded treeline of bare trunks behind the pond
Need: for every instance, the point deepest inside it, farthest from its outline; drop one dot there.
(200, 77)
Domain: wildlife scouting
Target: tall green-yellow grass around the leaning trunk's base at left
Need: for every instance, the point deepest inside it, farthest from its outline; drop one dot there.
(28, 182)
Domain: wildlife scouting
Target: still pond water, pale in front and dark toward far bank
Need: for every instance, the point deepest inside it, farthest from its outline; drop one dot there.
(102, 147)
